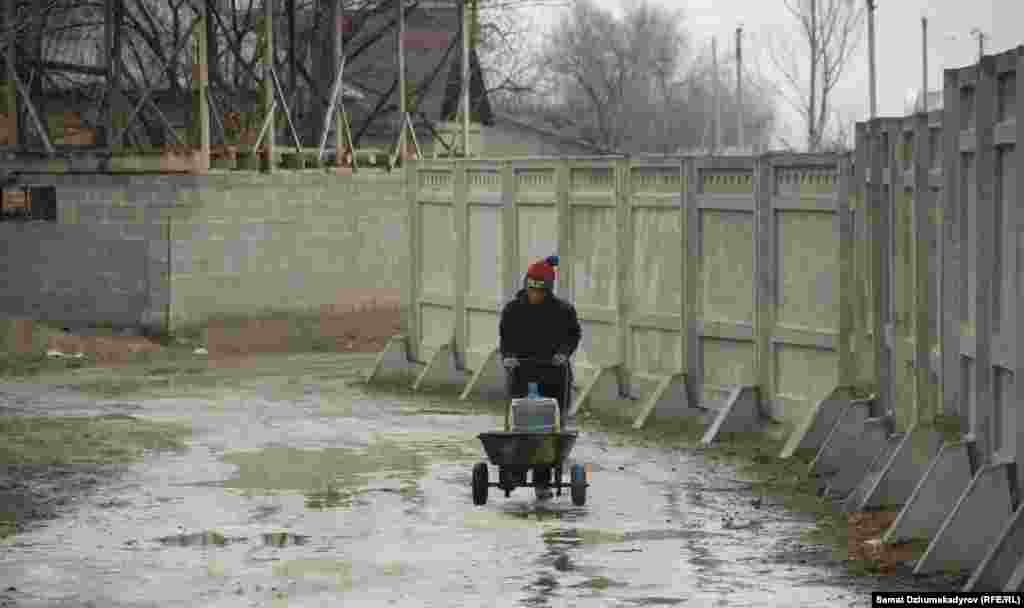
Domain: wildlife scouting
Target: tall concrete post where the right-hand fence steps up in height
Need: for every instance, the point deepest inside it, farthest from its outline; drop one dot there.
(953, 256)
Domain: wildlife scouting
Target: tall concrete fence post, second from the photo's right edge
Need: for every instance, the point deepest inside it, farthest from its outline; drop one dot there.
(983, 418)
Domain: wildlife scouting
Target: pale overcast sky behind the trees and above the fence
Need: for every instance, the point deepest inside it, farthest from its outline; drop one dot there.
(899, 40)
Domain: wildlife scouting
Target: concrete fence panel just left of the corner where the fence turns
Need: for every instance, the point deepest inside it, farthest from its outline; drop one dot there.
(806, 237)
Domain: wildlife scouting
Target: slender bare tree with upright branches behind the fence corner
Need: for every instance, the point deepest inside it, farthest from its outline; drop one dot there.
(829, 32)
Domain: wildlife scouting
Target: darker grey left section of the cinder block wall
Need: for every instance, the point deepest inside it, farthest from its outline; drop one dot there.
(104, 260)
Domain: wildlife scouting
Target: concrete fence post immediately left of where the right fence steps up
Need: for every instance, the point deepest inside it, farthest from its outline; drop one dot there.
(923, 205)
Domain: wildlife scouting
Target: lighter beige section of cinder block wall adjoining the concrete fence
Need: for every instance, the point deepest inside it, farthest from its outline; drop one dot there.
(290, 241)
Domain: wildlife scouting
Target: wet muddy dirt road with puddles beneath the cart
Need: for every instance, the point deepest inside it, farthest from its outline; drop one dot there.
(302, 490)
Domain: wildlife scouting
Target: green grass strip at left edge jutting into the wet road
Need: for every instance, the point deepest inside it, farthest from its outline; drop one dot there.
(65, 441)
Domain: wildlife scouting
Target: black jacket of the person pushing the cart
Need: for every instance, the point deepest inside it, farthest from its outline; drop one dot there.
(539, 331)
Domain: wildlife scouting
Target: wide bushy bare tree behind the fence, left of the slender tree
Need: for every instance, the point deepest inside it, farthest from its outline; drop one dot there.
(631, 84)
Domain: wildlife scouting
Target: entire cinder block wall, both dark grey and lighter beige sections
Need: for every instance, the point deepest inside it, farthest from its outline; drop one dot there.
(142, 249)
